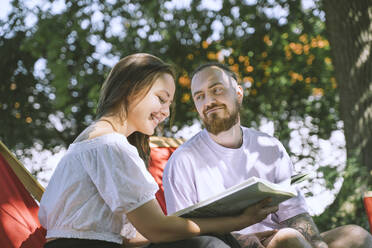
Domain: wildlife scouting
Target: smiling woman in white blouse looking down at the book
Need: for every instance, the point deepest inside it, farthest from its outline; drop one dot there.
(101, 192)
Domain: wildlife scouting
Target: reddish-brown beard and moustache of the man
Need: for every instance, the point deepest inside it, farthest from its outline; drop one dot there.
(215, 124)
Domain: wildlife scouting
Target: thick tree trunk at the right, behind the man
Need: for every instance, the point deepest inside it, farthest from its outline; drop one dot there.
(349, 27)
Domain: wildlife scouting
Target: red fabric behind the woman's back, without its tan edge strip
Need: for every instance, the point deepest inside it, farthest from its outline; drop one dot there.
(19, 224)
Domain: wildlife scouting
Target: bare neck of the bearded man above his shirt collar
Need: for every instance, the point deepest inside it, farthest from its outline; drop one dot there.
(232, 138)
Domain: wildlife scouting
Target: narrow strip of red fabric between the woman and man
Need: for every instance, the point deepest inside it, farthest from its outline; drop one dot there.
(159, 157)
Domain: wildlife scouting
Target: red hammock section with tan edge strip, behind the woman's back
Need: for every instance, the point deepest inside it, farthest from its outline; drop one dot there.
(19, 225)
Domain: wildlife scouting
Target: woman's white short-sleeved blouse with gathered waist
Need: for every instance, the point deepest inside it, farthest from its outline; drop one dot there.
(94, 185)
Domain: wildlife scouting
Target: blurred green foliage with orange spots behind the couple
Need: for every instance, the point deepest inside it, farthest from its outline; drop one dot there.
(54, 61)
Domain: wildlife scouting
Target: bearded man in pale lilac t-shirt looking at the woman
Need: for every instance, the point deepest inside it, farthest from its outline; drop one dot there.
(226, 153)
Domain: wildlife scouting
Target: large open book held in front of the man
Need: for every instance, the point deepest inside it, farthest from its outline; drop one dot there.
(237, 198)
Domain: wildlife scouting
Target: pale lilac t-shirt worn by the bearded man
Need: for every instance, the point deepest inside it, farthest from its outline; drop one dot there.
(201, 168)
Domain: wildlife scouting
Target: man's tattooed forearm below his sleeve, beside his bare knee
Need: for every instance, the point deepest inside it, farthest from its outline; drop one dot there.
(306, 226)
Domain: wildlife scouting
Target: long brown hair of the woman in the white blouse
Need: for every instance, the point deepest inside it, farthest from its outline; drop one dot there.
(131, 78)
